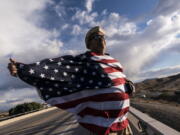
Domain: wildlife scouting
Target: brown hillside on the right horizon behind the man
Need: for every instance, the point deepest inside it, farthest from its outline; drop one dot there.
(170, 83)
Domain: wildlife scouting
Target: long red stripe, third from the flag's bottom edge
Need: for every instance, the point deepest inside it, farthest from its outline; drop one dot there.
(96, 98)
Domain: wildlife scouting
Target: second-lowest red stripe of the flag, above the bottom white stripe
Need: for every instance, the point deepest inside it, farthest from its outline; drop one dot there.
(104, 113)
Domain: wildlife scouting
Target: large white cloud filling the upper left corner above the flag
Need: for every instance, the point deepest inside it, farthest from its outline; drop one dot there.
(19, 31)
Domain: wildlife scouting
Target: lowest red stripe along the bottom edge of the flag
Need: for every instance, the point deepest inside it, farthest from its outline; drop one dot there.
(105, 131)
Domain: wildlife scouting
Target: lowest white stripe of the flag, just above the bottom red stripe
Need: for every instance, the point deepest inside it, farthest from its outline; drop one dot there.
(102, 122)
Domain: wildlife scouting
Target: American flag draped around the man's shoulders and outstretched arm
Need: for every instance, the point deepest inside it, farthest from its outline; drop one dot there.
(89, 85)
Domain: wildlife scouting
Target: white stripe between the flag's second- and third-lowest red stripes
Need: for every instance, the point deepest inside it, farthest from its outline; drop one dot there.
(106, 105)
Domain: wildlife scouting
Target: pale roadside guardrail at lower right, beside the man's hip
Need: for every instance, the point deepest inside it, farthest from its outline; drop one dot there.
(149, 126)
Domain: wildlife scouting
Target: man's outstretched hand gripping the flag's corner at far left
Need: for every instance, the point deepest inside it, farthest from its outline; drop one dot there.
(12, 67)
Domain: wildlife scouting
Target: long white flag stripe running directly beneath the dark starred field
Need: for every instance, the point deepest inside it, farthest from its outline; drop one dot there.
(83, 94)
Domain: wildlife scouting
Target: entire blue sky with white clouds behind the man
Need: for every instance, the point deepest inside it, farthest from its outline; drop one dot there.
(144, 35)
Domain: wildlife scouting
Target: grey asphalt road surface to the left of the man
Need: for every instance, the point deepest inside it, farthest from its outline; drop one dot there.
(55, 122)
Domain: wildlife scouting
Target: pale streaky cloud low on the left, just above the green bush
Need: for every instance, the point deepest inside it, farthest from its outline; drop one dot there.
(13, 97)
